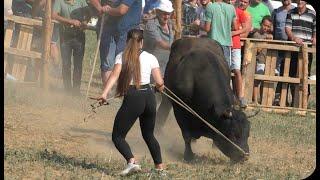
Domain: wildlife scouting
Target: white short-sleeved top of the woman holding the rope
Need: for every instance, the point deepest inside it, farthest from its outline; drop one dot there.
(147, 63)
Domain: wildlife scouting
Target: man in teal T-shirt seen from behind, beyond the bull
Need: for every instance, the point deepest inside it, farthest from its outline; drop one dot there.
(219, 17)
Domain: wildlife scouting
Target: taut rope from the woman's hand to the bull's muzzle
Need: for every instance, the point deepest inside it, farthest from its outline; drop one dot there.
(185, 106)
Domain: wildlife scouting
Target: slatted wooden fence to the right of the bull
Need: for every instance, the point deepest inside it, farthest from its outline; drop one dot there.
(269, 78)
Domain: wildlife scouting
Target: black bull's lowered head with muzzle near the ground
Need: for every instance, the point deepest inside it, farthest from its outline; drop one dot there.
(236, 128)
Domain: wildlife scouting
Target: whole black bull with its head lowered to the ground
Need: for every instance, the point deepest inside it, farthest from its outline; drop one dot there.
(198, 73)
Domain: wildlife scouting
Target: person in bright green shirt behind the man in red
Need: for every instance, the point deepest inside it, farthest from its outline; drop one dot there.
(257, 10)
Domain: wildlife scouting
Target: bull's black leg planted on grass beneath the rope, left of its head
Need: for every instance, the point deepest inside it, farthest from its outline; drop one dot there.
(183, 118)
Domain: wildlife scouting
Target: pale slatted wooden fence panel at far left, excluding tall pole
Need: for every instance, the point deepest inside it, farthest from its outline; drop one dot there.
(26, 49)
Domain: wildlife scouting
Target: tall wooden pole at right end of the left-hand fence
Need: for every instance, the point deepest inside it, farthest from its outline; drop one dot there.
(46, 47)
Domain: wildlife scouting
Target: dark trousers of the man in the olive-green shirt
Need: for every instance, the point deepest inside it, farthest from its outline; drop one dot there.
(72, 46)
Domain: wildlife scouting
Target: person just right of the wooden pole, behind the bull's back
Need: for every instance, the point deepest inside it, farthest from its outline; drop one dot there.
(191, 12)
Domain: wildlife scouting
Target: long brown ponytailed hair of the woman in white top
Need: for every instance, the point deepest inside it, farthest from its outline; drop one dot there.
(130, 62)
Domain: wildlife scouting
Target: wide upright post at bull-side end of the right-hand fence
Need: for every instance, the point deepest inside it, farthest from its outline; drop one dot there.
(249, 67)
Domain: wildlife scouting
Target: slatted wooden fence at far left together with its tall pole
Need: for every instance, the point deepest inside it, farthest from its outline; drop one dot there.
(19, 54)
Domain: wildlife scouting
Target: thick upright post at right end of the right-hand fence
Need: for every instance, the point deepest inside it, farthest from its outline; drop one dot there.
(305, 76)
